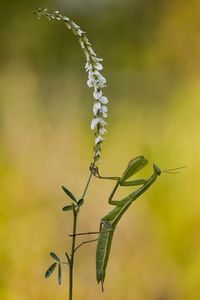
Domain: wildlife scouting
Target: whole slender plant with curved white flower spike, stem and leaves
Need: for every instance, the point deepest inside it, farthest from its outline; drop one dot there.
(96, 81)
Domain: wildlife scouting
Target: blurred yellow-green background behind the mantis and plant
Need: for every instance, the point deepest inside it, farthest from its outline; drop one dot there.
(151, 55)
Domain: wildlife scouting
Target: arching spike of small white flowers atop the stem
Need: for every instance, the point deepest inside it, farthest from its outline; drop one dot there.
(95, 79)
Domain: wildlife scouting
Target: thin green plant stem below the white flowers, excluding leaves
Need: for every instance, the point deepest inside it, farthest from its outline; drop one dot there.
(71, 265)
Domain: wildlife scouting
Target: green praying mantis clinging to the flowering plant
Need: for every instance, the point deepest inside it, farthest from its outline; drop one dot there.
(109, 222)
